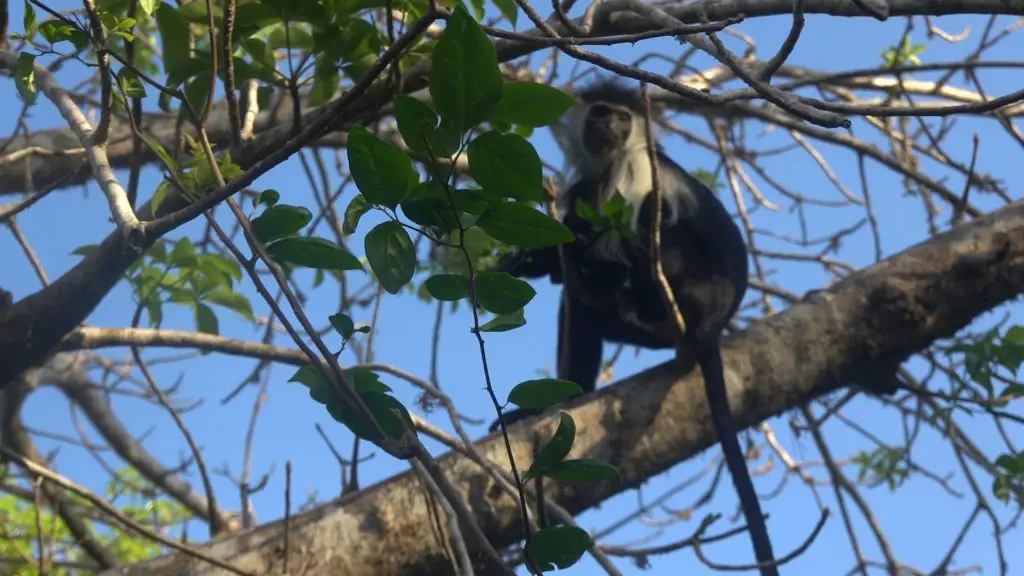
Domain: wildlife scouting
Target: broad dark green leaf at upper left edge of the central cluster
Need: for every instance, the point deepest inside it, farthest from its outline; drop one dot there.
(383, 175)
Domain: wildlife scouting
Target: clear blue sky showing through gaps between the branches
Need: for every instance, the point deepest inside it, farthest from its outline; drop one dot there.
(921, 520)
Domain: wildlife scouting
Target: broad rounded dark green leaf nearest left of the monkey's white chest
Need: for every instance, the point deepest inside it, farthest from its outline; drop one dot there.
(507, 166)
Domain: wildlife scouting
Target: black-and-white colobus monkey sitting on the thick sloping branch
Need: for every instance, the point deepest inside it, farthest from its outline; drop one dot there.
(610, 291)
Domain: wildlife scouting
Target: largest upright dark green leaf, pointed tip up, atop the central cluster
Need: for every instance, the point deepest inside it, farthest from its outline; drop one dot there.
(465, 83)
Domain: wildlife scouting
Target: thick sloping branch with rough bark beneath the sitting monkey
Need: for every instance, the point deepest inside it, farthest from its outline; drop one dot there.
(659, 419)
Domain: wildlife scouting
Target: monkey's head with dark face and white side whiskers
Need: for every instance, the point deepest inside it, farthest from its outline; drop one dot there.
(608, 125)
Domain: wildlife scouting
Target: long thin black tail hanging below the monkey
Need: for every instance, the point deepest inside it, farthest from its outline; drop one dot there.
(710, 358)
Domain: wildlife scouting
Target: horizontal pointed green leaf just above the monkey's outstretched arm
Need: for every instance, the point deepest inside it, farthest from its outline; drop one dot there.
(521, 225)
